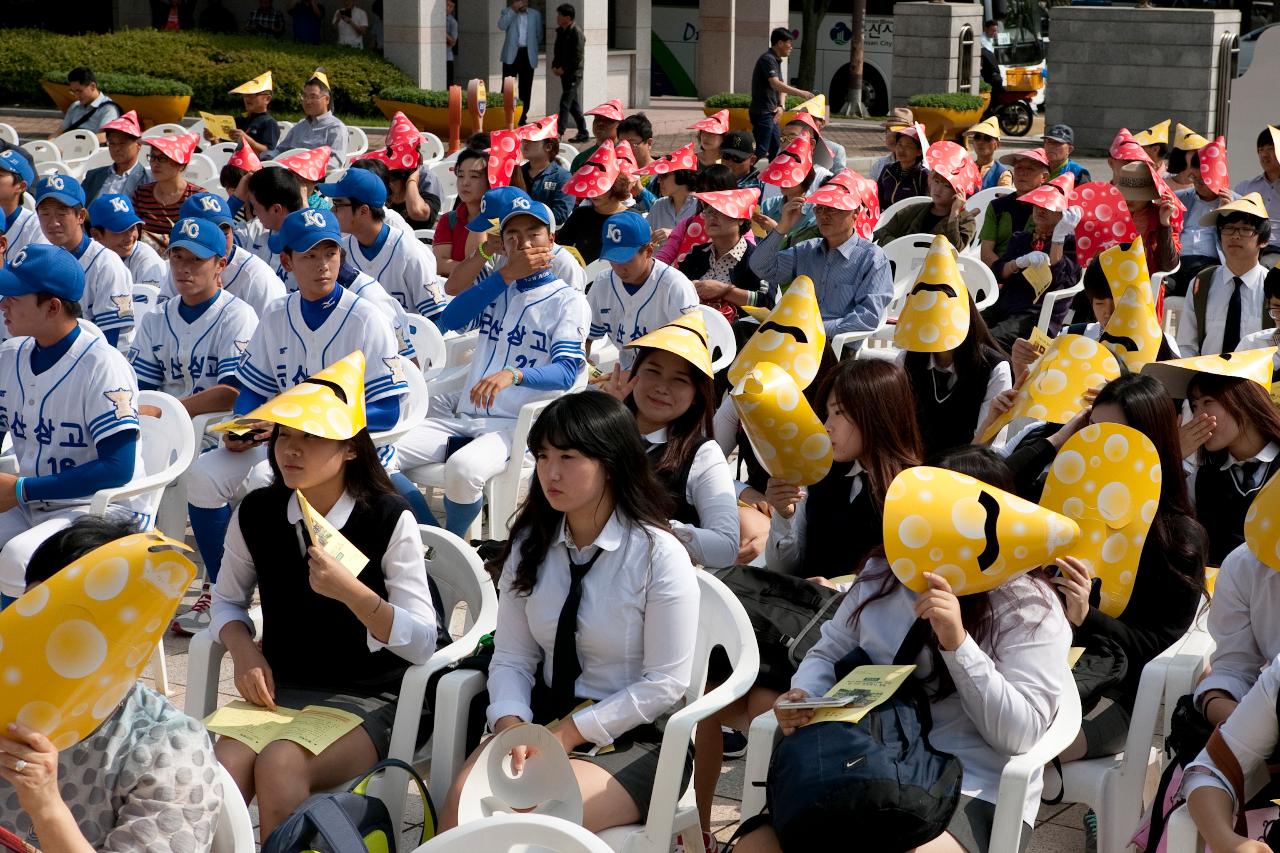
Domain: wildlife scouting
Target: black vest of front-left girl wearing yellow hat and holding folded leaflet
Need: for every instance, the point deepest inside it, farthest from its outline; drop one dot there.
(312, 641)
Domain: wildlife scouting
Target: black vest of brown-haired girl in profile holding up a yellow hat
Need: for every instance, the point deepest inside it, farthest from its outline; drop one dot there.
(839, 533)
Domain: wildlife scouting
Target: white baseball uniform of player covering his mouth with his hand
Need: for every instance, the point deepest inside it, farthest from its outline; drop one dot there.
(522, 329)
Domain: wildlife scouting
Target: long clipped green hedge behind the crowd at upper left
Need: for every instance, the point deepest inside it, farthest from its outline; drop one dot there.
(211, 65)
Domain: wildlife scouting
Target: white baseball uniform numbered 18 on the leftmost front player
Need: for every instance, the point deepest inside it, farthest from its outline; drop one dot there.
(56, 419)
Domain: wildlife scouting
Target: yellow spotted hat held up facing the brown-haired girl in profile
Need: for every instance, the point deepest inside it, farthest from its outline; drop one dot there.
(789, 440)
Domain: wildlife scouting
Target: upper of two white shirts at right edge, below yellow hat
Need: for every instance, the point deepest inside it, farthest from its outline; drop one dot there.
(1245, 623)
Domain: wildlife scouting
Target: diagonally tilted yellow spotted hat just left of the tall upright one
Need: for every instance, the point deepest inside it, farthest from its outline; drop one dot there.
(1057, 382)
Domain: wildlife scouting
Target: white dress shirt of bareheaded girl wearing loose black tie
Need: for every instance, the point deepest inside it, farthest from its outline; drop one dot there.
(637, 630)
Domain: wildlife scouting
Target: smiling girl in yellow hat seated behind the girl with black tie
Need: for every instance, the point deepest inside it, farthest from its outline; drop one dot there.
(671, 399)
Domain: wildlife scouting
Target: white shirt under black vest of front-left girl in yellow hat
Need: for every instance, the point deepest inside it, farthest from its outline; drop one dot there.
(414, 633)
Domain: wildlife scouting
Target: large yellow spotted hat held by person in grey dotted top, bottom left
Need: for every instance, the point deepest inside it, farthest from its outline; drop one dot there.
(74, 647)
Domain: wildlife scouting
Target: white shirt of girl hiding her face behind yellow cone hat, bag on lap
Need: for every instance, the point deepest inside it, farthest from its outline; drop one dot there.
(1005, 700)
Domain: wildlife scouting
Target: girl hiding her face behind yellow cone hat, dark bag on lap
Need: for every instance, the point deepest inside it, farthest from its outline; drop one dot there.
(994, 665)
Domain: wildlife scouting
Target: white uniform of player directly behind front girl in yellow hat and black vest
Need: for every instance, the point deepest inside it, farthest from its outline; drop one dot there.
(284, 353)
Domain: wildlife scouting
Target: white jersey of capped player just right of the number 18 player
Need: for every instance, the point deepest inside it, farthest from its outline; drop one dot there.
(182, 359)
